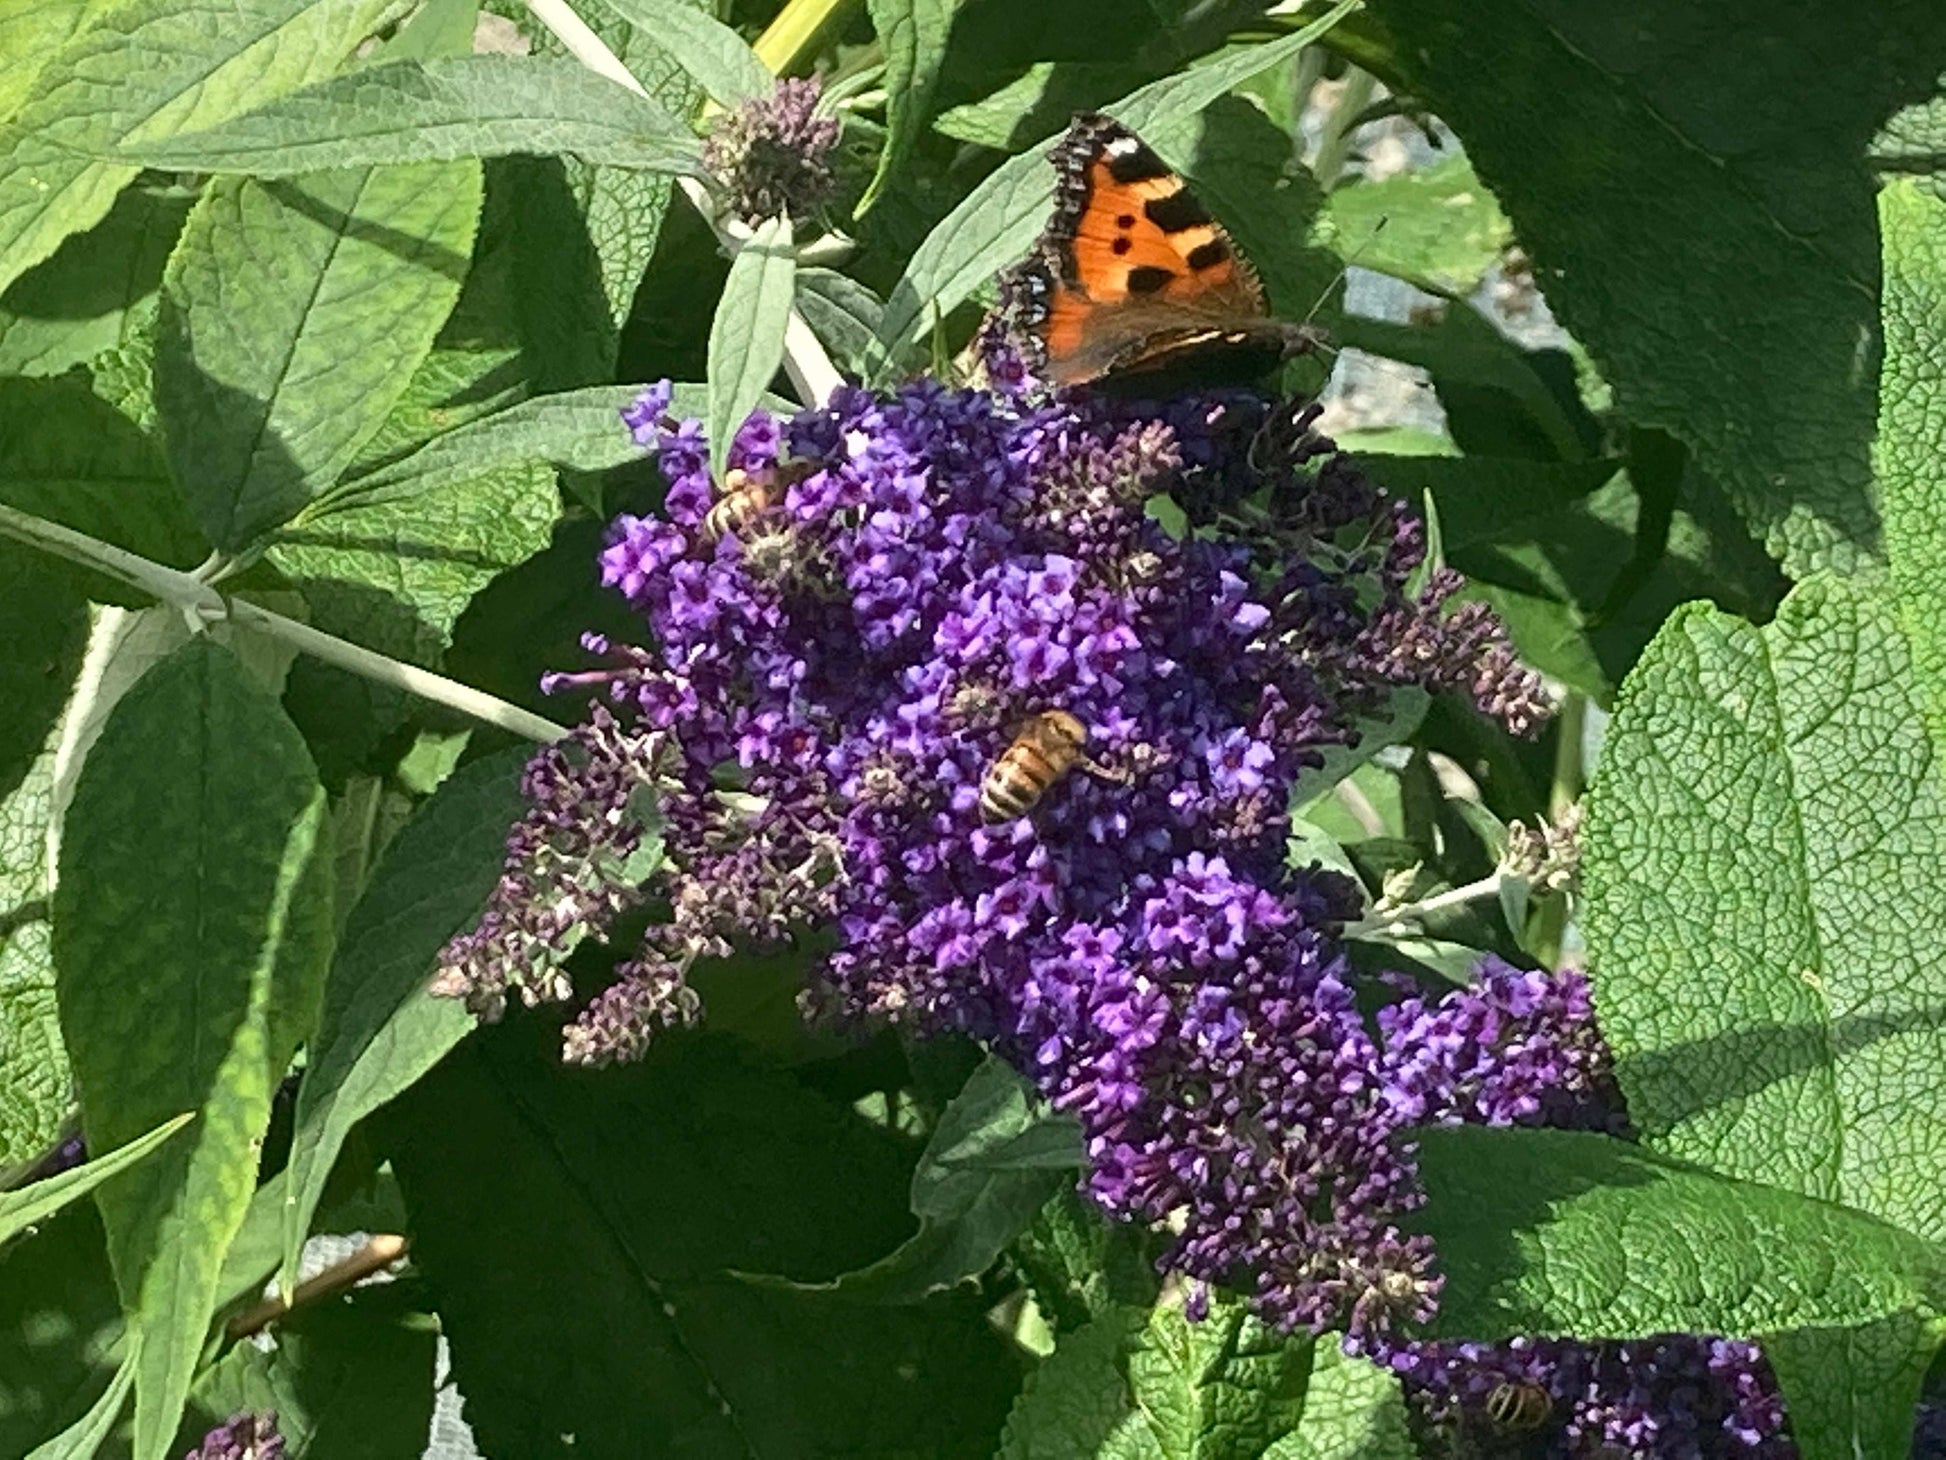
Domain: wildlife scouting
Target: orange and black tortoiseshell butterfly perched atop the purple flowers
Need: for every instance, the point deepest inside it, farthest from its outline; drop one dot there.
(1134, 283)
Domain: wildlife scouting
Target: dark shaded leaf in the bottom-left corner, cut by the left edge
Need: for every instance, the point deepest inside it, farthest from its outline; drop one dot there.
(61, 1332)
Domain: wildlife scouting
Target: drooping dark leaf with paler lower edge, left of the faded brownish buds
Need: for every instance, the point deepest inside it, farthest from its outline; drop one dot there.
(380, 1029)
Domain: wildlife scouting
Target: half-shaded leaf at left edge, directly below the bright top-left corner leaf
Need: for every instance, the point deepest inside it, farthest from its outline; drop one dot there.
(98, 291)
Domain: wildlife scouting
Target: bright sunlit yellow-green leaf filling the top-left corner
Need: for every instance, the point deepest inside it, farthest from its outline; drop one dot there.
(145, 71)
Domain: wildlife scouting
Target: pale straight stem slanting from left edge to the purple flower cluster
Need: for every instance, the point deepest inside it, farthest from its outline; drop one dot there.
(205, 606)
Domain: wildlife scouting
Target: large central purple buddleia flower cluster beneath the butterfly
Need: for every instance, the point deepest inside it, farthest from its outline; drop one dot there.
(937, 569)
